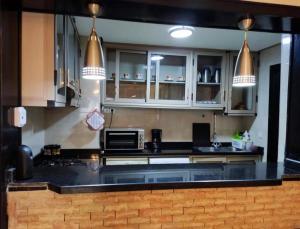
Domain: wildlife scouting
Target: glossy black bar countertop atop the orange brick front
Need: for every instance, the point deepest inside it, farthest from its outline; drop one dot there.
(81, 179)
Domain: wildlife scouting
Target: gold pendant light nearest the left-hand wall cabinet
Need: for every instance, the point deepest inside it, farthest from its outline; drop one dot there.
(93, 67)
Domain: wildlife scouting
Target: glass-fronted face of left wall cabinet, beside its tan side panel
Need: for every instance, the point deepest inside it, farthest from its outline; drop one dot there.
(67, 62)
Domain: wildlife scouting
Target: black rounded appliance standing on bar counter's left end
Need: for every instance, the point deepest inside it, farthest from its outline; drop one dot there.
(24, 162)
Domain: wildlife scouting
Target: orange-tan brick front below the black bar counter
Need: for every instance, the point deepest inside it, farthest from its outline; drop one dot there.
(244, 207)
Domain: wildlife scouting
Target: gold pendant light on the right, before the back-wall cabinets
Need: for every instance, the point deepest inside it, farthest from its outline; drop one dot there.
(244, 70)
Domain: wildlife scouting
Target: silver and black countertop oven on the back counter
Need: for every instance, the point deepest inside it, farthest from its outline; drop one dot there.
(124, 139)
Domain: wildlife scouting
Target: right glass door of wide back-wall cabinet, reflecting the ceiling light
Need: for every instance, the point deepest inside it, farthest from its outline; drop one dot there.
(168, 81)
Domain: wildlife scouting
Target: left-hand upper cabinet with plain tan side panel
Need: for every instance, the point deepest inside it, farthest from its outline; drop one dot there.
(50, 60)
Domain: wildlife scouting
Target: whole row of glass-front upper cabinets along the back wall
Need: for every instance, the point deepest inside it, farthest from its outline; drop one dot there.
(179, 78)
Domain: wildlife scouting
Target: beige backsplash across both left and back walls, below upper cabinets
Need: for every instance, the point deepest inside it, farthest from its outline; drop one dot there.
(66, 126)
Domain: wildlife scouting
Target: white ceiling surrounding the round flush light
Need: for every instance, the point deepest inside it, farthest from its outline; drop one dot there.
(157, 34)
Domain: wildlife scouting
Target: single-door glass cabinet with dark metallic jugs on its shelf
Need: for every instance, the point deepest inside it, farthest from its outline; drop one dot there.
(209, 80)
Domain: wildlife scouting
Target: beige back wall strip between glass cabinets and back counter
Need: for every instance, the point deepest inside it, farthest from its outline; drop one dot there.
(176, 124)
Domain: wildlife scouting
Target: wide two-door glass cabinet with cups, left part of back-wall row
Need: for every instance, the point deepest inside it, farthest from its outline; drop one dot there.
(146, 77)
